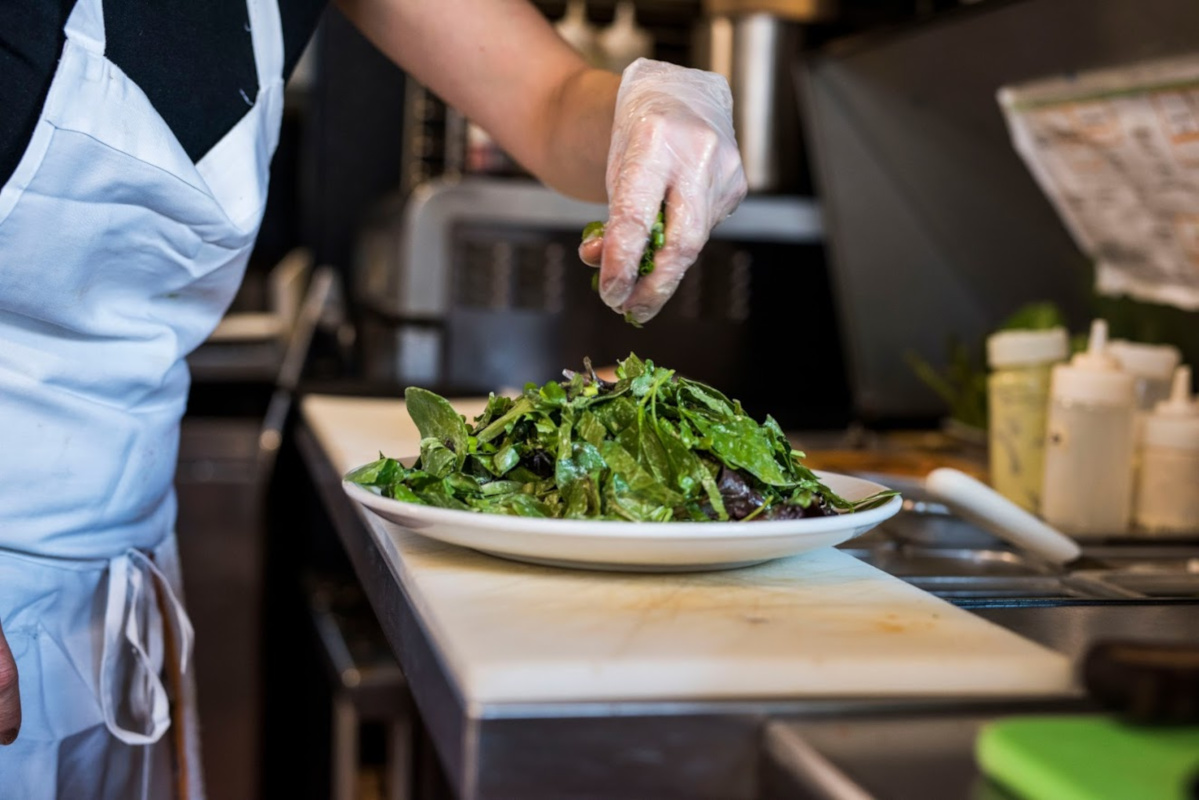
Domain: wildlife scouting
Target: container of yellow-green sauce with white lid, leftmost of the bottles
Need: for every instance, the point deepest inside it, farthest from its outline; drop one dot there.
(1019, 402)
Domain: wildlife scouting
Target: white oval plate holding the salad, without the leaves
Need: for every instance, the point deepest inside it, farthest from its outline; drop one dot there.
(636, 546)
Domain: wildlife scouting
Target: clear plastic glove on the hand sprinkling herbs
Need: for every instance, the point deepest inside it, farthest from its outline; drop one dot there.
(672, 142)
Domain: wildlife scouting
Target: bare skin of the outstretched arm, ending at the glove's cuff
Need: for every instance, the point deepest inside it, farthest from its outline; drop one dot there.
(503, 65)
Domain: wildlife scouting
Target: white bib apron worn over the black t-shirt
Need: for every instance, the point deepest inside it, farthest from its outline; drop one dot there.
(118, 257)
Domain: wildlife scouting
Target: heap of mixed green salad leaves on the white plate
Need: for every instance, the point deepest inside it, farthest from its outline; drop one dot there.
(654, 447)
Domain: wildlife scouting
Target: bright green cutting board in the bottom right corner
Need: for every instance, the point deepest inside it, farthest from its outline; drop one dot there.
(1090, 759)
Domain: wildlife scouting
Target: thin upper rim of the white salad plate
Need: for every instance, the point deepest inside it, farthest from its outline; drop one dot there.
(619, 530)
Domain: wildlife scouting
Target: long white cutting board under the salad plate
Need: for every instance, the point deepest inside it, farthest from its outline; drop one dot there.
(817, 625)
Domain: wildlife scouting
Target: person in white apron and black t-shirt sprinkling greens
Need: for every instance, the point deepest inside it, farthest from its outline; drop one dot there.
(135, 148)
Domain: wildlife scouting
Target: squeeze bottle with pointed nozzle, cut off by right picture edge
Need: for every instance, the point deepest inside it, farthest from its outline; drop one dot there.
(1168, 480)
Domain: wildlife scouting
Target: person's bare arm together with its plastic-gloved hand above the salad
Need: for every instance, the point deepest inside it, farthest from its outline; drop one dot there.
(671, 151)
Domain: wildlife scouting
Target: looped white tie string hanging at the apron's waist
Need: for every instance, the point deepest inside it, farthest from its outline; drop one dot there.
(131, 685)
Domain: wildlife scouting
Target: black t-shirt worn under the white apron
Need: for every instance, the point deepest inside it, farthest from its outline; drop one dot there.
(195, 61)
